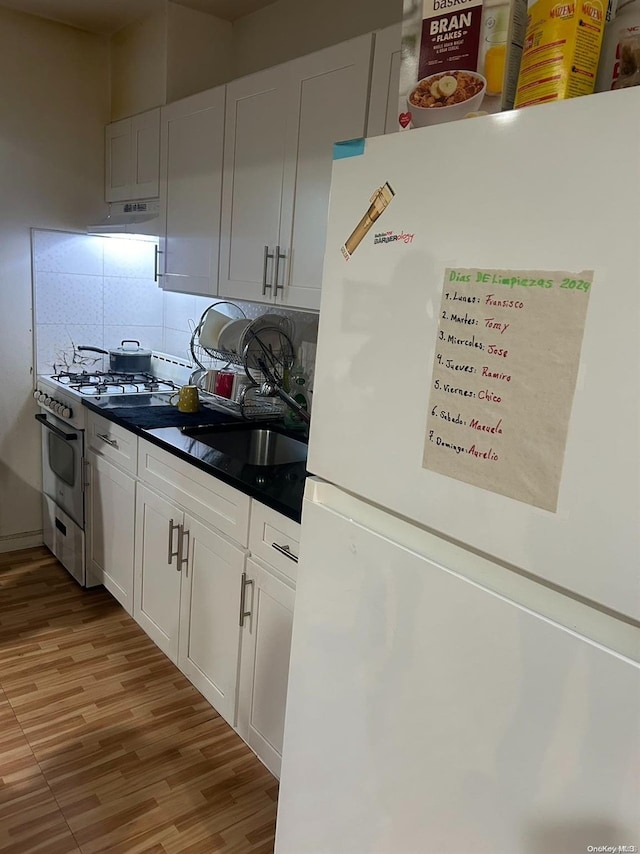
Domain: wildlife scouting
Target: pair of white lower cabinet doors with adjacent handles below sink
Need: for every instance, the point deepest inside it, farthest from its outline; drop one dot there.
(188, 580)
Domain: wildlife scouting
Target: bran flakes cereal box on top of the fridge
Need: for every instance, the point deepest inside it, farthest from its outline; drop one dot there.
(460, 59)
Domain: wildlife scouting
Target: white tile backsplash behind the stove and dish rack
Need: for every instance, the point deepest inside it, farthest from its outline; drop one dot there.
(98, 291)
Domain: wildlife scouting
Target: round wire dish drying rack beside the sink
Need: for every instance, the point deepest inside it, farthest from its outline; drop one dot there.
(265, 352)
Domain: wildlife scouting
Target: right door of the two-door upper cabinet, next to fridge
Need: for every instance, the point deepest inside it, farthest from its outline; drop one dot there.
(328, 103)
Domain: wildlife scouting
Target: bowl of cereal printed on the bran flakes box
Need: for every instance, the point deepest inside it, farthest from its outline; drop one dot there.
(445, 97)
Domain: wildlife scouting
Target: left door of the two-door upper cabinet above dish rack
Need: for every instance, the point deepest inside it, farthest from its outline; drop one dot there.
(252, 185)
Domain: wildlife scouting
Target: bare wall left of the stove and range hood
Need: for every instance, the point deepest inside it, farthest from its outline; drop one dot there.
(54, 96)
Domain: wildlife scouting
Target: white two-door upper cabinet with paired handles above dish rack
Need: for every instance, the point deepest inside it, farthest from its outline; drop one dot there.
(280, 128)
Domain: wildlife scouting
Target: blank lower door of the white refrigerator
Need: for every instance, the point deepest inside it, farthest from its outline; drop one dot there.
(428, 715)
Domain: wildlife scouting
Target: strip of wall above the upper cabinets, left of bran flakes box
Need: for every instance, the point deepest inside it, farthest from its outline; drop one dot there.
(291, 28)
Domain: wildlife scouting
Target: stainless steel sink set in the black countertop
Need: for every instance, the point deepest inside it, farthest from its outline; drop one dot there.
(255, 446)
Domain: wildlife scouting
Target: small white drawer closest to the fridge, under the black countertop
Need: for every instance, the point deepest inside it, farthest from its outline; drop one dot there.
(269, 530)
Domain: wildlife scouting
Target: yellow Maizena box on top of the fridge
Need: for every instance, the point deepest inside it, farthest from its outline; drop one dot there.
(561, 51)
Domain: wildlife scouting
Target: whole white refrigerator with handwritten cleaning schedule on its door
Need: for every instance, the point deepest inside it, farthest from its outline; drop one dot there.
(464, 671)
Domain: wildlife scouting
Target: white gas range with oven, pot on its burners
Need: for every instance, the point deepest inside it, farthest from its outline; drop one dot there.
(63, 419)
